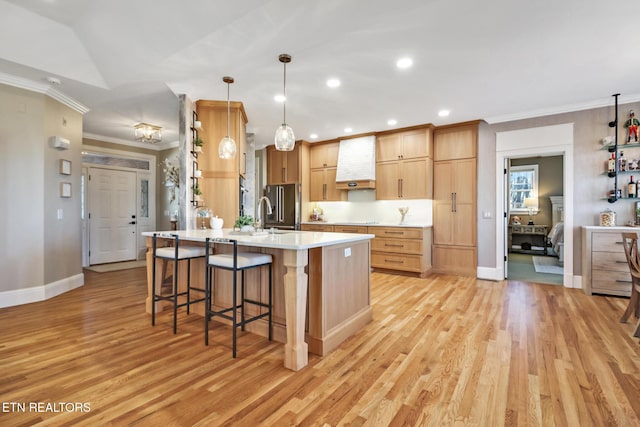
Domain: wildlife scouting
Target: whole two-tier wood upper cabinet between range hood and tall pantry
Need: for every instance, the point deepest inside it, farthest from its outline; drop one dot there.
(404, 168)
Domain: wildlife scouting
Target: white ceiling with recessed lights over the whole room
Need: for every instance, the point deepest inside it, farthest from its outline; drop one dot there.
(495, 60)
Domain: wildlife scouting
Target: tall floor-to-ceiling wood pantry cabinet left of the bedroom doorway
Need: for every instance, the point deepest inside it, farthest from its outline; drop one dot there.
(455, 200)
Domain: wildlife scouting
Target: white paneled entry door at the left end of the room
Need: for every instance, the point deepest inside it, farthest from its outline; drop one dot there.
(112, 215)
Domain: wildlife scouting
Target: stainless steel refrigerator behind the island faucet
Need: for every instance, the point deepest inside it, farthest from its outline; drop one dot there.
(285, 207)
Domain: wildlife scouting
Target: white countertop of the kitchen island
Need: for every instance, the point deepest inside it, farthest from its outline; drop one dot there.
(283, 239)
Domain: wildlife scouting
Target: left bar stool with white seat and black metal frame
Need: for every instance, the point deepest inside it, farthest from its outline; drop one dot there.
(175, 253)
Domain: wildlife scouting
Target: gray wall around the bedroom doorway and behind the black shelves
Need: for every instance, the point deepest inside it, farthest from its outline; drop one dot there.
(591, 185)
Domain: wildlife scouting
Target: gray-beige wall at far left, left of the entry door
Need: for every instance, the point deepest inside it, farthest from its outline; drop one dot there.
(37, 248)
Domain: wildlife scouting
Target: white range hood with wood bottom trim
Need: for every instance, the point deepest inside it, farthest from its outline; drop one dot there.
(357, 164)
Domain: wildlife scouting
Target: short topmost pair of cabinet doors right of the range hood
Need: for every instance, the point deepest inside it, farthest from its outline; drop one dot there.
(404, 145)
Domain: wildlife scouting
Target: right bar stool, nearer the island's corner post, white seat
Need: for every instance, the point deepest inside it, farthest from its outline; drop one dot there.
(234, 262)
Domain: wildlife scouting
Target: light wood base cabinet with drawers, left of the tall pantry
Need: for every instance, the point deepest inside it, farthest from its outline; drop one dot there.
(404, 250)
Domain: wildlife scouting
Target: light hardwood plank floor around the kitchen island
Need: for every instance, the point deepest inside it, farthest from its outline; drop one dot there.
(442, 350)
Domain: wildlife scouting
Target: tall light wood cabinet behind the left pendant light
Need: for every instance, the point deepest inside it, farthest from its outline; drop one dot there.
(220, 177)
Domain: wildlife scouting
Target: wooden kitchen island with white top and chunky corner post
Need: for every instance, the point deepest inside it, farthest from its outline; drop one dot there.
(328, 272)
